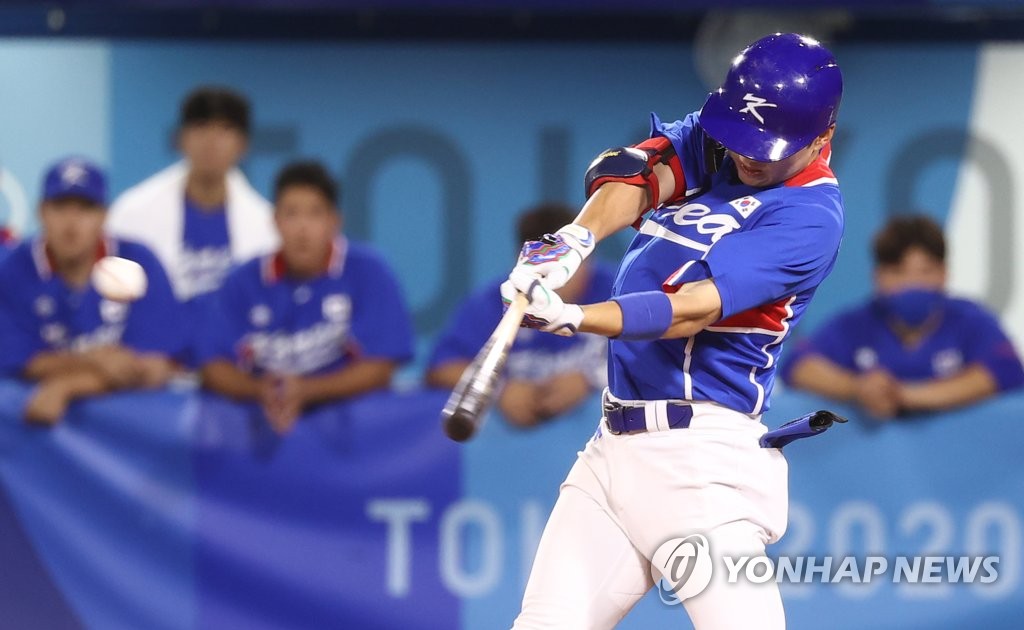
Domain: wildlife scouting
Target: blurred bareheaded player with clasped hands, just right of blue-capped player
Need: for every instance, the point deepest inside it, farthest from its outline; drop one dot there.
(321, 320)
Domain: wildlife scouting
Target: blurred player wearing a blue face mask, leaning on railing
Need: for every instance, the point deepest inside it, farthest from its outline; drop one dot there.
(912, 348)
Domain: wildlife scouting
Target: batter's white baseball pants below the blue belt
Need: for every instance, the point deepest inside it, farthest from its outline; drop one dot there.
(627, 495)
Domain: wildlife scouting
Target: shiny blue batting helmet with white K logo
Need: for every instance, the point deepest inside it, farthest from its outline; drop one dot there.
(781, 94)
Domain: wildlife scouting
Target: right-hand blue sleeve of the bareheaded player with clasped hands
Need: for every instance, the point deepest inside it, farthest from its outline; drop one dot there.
(381, 323)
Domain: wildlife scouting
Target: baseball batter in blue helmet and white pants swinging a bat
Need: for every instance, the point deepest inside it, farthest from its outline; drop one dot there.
(747, 224)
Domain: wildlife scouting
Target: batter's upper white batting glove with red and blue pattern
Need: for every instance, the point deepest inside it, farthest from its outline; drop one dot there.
(556, 258)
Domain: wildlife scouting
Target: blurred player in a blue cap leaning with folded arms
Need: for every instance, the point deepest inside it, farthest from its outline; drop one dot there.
(57, 329)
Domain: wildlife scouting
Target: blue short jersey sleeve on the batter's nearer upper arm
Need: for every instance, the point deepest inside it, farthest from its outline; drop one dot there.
(793, 249)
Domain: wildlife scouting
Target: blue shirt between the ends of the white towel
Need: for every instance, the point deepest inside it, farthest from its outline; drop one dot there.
(206, 254)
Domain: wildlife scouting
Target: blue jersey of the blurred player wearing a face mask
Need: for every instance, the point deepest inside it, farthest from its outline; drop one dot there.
(862, 341)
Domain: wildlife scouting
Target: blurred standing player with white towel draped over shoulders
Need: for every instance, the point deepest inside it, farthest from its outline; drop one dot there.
(201, 216)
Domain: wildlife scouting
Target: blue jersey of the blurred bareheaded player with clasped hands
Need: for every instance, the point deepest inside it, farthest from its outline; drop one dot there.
(266, 322)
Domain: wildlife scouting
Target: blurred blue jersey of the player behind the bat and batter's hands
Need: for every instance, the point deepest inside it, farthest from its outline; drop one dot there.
(535, 356)
